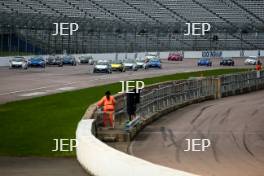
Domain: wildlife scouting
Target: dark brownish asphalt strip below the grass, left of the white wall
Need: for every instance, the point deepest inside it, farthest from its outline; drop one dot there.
(31, 166)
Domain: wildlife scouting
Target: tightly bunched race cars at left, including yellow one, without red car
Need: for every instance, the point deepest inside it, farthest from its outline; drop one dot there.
(100, 66)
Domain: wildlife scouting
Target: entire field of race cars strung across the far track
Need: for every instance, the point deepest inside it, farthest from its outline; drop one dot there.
(108, 66)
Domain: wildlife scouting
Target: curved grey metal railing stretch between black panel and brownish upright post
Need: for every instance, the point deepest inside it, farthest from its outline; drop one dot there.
(176, 93)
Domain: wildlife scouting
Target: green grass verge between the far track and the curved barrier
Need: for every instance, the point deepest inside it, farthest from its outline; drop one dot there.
(28, 127)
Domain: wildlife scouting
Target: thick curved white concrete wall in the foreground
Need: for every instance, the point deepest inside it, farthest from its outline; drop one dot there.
(101, 160)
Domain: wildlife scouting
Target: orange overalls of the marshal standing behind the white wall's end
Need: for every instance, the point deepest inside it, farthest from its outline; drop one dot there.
(109, 108)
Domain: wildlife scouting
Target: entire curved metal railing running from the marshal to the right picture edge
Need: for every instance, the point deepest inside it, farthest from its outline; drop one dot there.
(162, 96)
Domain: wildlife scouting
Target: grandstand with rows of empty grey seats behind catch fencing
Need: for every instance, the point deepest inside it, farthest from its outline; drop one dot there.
(130, 25)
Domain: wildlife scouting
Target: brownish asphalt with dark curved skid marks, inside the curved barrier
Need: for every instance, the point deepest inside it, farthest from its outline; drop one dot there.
(234, 125)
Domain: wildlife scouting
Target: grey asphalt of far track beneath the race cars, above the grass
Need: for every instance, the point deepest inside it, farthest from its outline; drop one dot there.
(17, 84)
